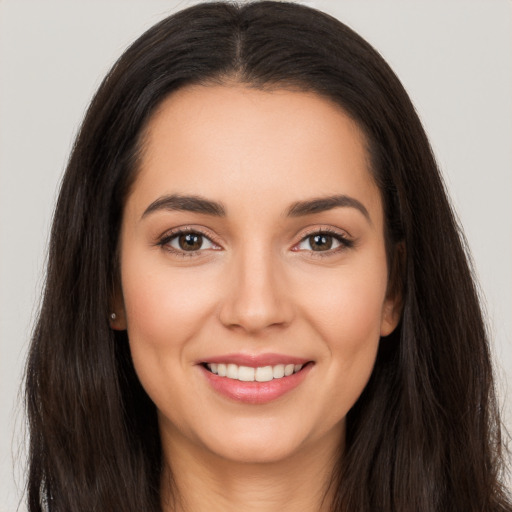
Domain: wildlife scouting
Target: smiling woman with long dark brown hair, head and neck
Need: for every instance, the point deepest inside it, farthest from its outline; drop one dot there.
(257, 296)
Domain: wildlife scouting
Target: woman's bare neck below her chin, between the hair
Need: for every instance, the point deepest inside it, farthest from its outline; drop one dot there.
(195, 480)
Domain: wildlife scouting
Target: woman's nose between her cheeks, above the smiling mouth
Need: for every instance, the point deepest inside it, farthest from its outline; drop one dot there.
(257, 295)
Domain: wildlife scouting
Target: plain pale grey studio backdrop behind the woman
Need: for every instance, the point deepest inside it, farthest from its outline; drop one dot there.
(453, 57)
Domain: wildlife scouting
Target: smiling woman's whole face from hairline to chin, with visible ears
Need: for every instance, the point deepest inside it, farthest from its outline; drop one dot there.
(252, 244)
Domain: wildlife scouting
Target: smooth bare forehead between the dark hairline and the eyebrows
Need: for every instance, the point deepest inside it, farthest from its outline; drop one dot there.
(235, 142)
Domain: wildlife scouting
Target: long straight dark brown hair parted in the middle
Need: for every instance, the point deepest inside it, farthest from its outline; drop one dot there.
(425, 433)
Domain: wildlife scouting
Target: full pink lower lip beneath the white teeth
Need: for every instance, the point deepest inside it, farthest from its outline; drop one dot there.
(255, 392)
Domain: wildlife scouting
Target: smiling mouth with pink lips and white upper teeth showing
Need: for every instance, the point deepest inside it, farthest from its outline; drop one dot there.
(255, 379)
